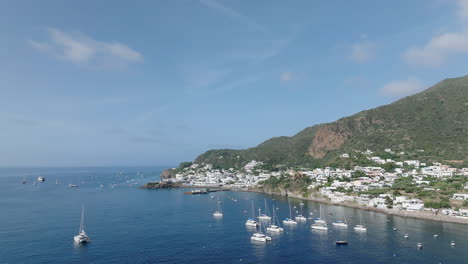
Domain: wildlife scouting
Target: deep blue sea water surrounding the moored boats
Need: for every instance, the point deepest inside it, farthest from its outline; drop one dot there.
(130, 225)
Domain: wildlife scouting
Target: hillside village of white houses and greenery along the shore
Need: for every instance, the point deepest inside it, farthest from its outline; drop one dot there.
(409, 185)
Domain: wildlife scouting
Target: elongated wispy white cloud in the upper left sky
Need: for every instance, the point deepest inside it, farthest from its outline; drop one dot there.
(83, 50)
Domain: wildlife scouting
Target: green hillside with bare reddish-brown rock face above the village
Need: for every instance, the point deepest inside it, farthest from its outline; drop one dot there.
(435, 120)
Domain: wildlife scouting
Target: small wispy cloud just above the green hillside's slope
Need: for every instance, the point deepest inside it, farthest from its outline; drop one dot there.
(400, 88)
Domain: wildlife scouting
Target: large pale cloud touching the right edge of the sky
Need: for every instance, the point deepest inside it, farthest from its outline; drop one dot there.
(442, 46)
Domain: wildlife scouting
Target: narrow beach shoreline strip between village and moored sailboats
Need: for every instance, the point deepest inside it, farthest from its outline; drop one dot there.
(425, 215)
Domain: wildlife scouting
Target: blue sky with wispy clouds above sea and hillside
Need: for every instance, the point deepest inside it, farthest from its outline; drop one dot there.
(104, 83)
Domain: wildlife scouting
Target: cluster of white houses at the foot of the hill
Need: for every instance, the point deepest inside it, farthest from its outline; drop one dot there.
(204, 175)
